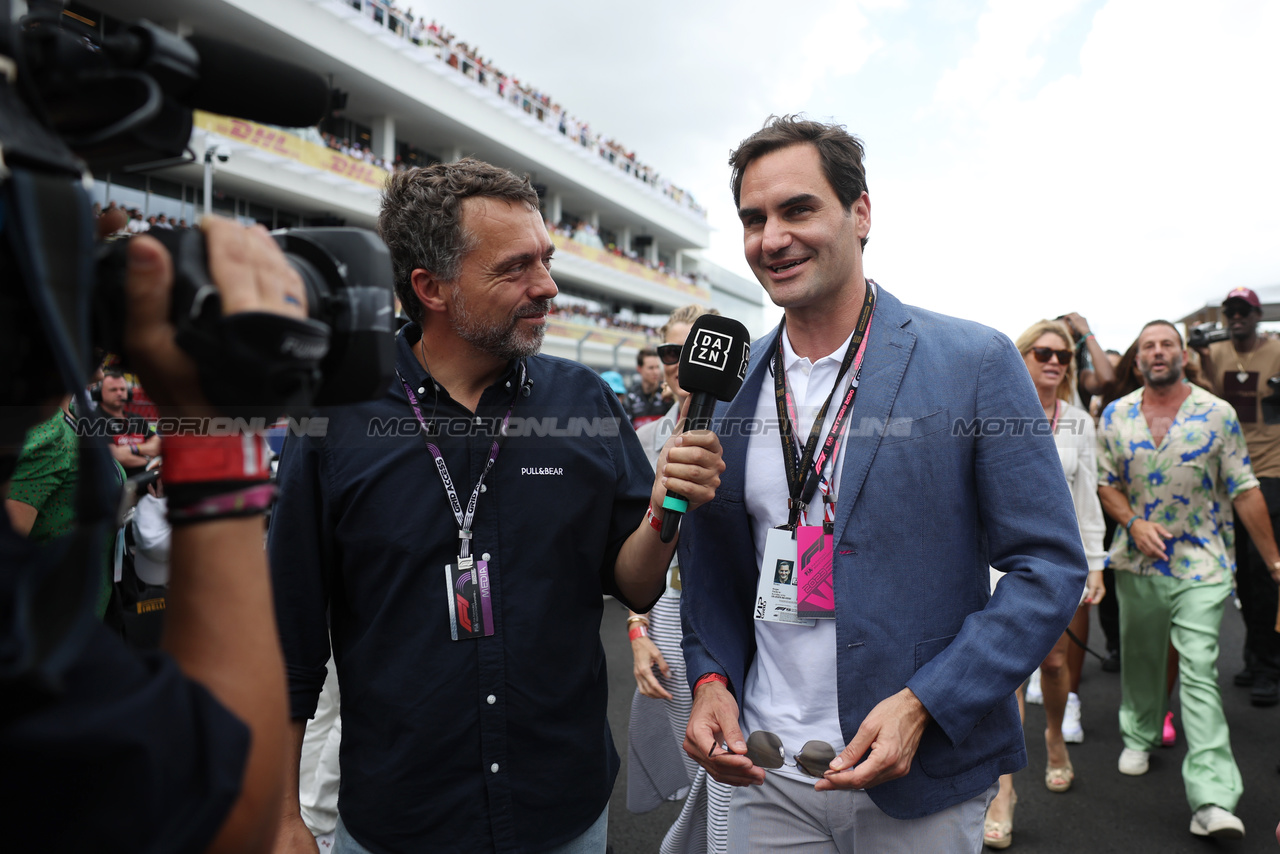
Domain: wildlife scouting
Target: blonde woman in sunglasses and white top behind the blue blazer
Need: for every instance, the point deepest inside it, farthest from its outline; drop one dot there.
(1046, 348)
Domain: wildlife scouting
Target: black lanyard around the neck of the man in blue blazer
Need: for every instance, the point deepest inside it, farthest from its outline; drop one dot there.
(801, 487)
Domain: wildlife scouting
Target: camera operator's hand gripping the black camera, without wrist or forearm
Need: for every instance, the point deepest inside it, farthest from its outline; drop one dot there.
(252, 276)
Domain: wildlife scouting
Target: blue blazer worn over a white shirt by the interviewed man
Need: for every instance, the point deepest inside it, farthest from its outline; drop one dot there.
(949, 468)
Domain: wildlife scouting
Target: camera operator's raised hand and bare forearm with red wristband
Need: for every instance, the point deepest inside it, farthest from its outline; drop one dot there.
(221, 625)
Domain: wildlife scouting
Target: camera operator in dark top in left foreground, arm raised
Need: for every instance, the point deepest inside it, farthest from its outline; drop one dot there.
(181, 751)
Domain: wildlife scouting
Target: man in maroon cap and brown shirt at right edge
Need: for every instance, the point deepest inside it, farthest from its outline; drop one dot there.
(1238, 372)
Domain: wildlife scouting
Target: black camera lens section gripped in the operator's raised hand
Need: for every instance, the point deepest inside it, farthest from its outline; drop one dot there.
(264, 364)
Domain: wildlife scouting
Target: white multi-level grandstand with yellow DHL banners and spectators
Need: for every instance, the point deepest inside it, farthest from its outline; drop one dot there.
(629, 243)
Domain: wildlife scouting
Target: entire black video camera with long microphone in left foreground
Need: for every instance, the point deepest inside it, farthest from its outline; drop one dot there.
(74, 101)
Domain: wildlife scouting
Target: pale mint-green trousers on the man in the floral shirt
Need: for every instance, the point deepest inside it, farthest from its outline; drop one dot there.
(1156, 610)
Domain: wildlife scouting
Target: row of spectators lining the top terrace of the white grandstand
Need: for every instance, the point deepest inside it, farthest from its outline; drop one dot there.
(468, 61)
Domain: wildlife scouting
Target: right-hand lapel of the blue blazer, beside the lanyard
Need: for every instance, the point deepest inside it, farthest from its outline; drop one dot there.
(889, 350)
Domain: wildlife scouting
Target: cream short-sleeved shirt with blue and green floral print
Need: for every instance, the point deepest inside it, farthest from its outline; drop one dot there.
(1187, 485)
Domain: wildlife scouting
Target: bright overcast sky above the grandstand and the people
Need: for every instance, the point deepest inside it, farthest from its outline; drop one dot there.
(1025, 158)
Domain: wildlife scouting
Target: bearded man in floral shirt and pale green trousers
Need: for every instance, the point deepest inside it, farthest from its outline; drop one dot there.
(1173, 465)
